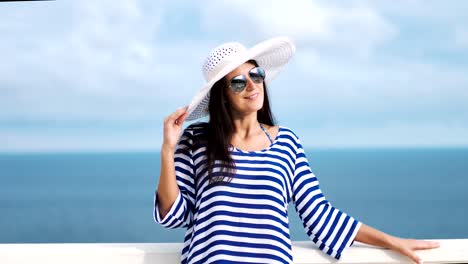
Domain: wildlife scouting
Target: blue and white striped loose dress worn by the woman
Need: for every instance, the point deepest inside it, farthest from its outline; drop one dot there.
(246, 220)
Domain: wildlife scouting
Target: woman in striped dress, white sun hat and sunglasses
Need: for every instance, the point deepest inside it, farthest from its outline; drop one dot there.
(229, 181)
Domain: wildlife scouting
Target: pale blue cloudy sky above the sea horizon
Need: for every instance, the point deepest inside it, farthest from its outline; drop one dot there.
(102, 75)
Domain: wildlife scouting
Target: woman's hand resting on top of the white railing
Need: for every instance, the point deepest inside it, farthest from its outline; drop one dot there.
(407, 247)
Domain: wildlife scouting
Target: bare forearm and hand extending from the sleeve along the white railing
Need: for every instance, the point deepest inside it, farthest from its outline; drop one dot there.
(372, 236)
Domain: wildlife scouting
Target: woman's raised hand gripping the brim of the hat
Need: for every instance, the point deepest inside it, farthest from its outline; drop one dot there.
(173, 128)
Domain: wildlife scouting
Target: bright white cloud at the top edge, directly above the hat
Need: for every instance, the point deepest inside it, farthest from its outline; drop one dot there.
(354, 29)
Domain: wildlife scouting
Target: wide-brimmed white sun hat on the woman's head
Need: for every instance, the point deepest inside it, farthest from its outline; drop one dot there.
(271, 55)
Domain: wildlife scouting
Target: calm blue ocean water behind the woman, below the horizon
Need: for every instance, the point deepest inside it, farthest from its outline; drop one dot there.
(108, 197)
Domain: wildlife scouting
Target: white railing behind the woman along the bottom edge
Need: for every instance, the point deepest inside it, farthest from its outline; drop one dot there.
(450, 251)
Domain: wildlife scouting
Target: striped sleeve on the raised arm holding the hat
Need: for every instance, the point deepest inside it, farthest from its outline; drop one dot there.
(181, 211)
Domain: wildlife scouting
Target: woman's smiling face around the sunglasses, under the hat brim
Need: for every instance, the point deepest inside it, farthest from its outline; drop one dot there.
(251, 98)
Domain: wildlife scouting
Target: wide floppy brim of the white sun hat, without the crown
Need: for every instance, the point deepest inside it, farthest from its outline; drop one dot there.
(271, 55)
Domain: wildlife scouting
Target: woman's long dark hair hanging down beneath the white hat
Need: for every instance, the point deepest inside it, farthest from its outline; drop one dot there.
(220, 129)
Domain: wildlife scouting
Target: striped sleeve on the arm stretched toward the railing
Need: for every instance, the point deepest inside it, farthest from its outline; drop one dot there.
(329, 228)
